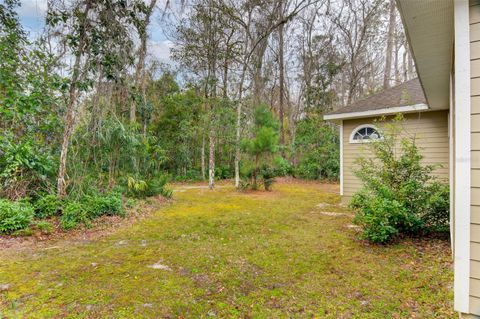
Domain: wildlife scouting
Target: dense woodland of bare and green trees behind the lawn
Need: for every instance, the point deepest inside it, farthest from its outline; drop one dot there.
(86, 109)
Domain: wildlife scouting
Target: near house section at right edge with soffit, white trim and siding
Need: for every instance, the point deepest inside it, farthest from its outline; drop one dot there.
(444, 36)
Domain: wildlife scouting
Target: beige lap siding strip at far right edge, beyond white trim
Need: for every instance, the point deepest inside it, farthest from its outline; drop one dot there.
(475, 158)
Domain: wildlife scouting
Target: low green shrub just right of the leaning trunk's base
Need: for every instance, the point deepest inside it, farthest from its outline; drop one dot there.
(103, 204)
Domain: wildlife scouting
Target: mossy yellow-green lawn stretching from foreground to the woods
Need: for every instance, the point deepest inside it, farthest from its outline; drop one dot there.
(226, 254)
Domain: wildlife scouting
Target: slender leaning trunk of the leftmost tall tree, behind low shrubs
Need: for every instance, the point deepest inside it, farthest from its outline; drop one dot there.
(69, 119)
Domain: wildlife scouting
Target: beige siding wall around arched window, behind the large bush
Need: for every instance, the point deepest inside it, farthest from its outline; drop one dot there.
(430, 130)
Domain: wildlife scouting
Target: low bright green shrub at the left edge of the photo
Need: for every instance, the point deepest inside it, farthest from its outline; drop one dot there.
(14, 216)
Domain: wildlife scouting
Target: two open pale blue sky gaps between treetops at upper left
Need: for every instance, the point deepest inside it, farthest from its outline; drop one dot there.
(32, 16)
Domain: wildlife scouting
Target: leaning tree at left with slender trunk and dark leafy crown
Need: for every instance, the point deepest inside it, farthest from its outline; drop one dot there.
(82, 27)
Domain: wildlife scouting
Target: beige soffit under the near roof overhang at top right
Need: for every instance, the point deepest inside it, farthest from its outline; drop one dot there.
(429, 28)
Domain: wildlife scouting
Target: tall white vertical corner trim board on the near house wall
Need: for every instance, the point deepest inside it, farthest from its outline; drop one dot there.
(462, 157)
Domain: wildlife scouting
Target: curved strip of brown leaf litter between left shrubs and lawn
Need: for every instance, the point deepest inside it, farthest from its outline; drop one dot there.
(100, 227)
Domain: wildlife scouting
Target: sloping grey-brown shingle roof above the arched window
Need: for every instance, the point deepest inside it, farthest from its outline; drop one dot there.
(405, 94)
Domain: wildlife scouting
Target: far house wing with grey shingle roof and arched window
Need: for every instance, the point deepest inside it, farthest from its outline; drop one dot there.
(359, 124)
